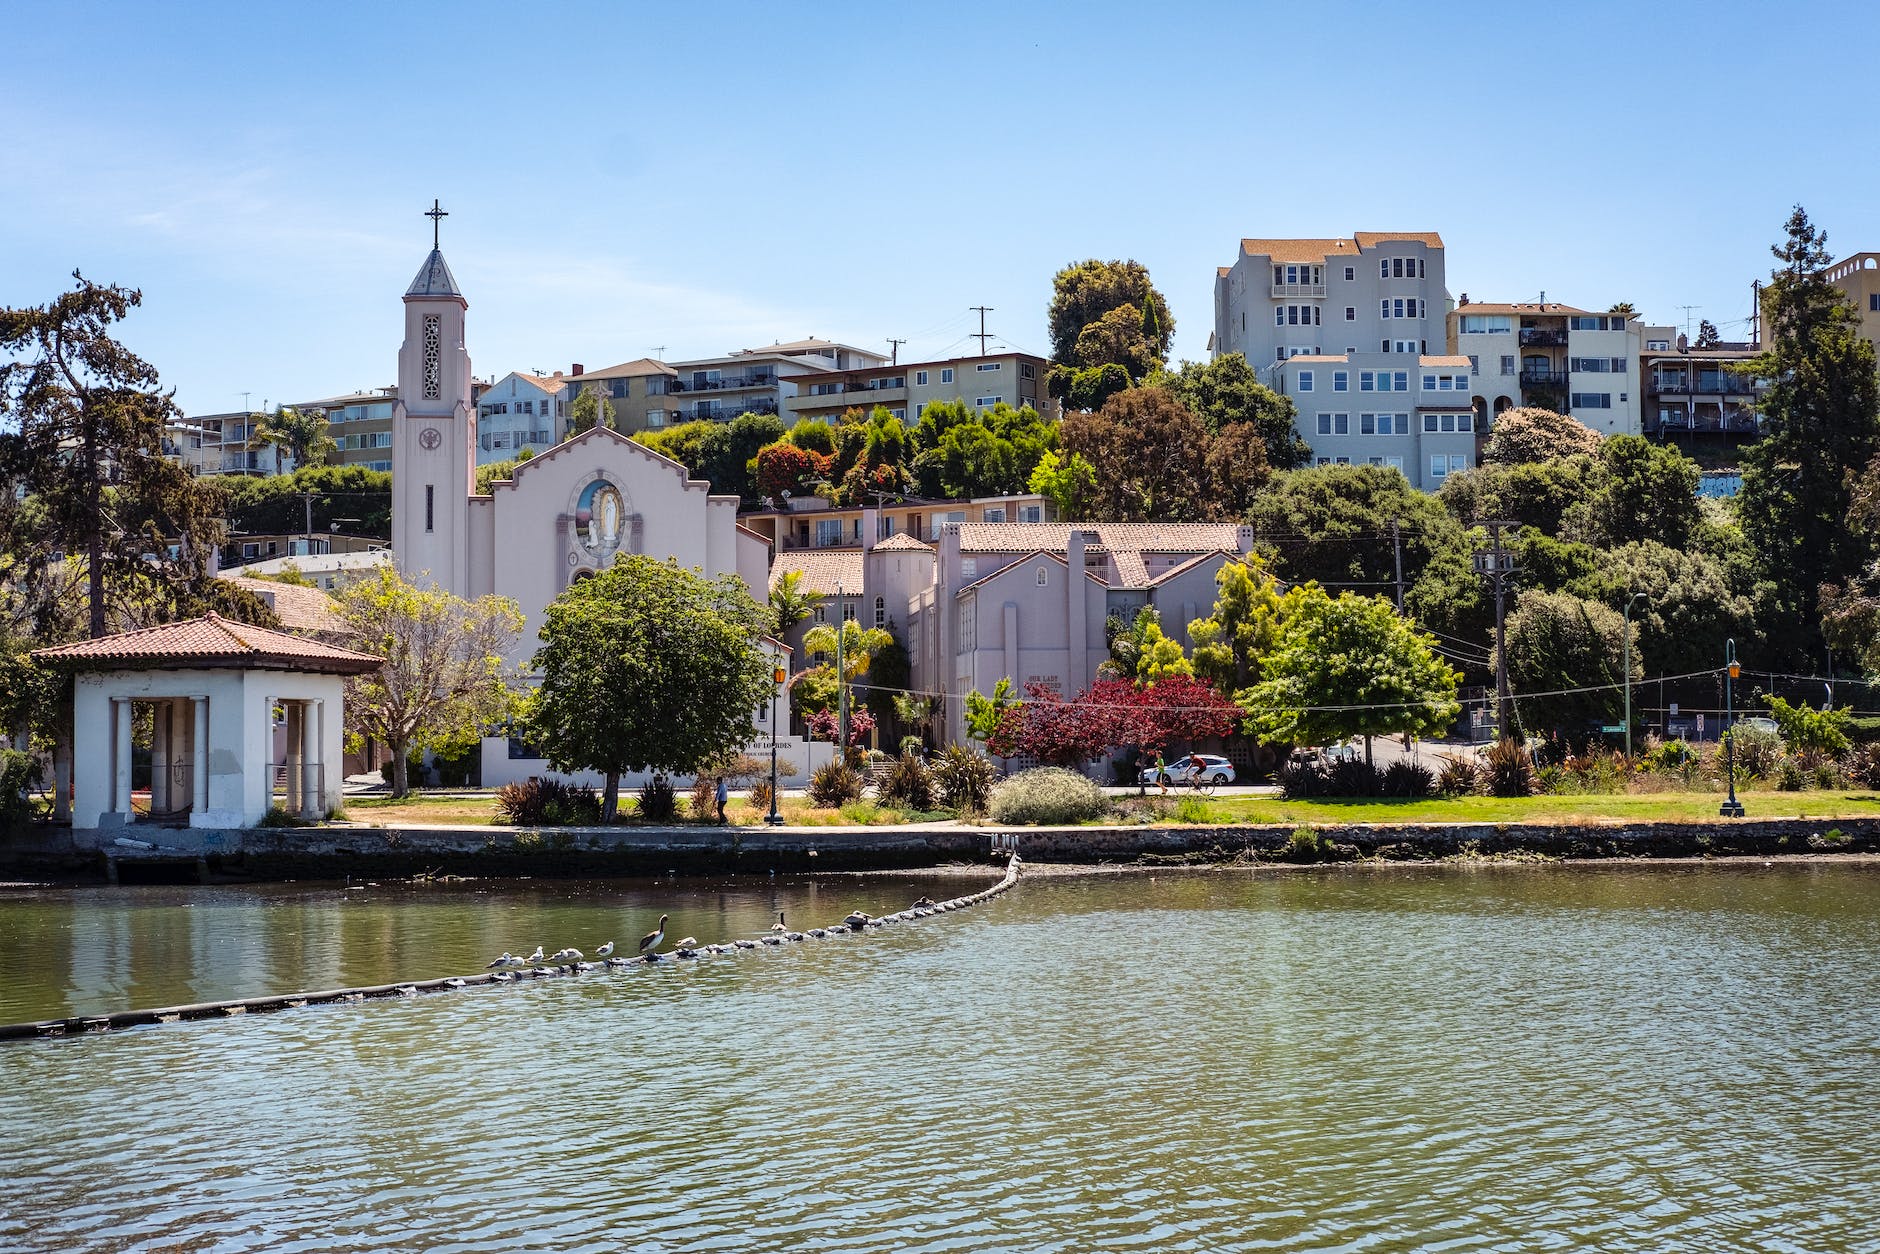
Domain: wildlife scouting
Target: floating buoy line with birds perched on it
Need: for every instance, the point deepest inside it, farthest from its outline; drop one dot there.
(853, 926)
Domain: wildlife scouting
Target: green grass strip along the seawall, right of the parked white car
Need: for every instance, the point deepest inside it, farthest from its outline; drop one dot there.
(1593, 807)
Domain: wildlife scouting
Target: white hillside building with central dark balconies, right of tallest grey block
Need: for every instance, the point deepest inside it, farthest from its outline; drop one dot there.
(1550, 356)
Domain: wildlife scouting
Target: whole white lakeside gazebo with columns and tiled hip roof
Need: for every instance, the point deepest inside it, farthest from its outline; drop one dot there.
(213, 687)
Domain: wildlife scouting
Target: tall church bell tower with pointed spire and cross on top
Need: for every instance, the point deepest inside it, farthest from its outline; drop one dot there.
(433, 431)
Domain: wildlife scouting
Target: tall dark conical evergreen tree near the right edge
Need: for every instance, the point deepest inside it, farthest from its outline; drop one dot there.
(1821, 428)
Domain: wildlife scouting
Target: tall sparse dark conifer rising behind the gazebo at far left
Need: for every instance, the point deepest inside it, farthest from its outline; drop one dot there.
(82, 431)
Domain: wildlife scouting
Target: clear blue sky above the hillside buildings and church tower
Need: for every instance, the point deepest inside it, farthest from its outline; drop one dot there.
(712, 178)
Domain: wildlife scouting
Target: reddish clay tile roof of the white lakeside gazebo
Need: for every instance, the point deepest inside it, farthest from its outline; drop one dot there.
(210, 642)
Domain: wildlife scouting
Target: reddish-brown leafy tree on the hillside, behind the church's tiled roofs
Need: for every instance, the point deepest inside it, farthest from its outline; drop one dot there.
(1153, 454)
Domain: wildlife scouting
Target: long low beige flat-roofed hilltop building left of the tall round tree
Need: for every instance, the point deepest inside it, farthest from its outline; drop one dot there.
(905, 390)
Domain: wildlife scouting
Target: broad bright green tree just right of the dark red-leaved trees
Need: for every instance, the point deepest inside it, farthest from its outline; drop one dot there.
(1351, 666)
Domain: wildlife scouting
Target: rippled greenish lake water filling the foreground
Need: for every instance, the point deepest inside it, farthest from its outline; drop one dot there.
(1460, 1059)
